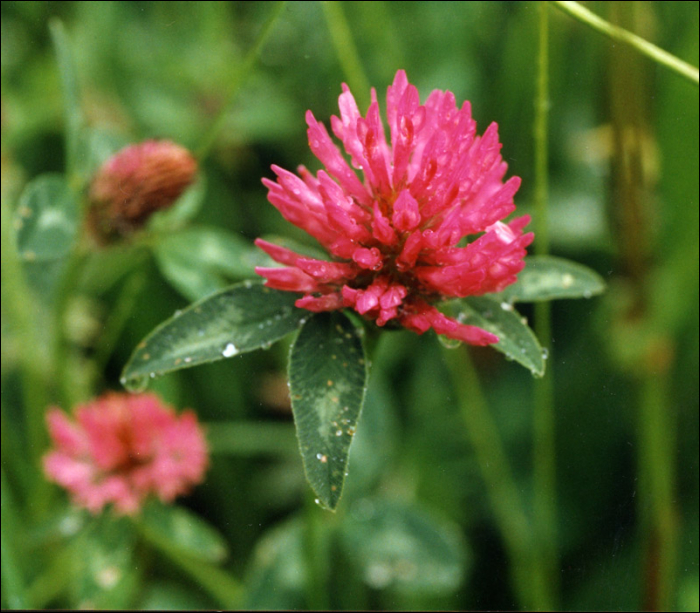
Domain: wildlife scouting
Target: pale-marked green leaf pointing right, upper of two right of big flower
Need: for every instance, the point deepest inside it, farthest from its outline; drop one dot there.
(549, 278)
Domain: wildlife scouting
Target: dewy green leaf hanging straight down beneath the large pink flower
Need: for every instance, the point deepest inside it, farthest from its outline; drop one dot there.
(327, 382)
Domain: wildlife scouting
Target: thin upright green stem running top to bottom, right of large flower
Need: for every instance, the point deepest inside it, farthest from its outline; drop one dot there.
(544, 430)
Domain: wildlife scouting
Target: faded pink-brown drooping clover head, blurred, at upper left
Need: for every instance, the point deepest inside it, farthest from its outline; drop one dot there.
(135, 183)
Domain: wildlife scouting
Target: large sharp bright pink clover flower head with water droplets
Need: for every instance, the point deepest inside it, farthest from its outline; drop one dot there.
(396, 237)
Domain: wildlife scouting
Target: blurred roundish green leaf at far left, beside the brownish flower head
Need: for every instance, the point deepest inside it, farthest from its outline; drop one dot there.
(46, 219)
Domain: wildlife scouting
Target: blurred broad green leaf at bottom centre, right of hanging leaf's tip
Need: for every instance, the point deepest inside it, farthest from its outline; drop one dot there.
(399, 546)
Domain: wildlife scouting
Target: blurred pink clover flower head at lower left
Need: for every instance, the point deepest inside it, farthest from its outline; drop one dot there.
(122, 448)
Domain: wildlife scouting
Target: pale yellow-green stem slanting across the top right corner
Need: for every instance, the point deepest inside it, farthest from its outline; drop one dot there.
(658, 55)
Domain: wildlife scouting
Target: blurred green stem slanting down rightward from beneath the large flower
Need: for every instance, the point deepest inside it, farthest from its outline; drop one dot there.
(495, 469)
